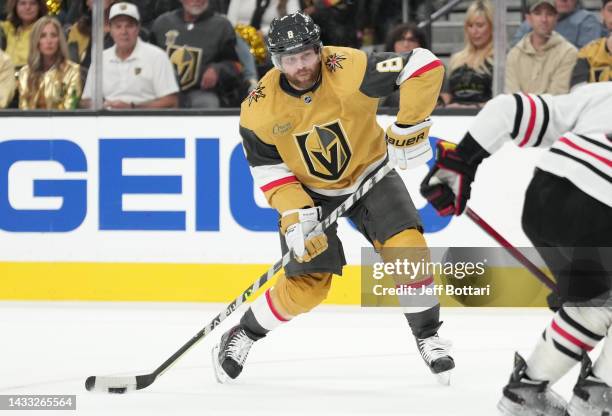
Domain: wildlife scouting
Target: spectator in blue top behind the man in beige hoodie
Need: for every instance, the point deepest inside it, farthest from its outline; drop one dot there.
(575, 24)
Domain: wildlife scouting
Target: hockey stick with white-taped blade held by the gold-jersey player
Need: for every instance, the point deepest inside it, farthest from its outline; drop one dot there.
(130, 383)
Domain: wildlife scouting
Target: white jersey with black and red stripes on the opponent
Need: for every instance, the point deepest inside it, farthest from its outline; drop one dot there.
(576, 127)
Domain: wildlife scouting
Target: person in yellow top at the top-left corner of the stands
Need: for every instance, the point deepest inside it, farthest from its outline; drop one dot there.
(21, 16)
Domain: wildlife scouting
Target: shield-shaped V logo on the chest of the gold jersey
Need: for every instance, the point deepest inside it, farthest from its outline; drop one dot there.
(325, 150)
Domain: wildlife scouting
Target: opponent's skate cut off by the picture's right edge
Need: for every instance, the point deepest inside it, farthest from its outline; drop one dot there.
(592, 397)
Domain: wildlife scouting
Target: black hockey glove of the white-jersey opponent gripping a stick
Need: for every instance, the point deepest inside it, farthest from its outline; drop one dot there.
(448, 185)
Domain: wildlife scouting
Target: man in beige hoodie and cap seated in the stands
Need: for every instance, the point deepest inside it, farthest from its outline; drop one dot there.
(542, 62)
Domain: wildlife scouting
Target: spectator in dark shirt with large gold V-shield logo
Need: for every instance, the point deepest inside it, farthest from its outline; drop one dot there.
(202, 46)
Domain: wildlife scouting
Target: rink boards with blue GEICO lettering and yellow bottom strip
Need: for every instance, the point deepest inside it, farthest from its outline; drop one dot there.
(163, 208)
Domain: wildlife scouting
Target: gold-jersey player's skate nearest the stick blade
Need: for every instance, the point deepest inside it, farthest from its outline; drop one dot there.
(230, 353)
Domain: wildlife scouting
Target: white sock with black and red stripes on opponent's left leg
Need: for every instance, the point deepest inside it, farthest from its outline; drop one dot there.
(572, 331)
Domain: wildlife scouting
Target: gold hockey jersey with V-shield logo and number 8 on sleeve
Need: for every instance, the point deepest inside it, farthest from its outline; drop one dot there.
(327, 138)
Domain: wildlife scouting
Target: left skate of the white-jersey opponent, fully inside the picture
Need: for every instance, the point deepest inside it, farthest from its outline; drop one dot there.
(525, 397)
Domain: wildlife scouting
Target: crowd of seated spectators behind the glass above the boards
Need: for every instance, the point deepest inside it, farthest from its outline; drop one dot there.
(211, 53)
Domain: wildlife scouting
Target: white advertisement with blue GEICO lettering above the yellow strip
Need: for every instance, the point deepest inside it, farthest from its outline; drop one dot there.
(178, 189)
